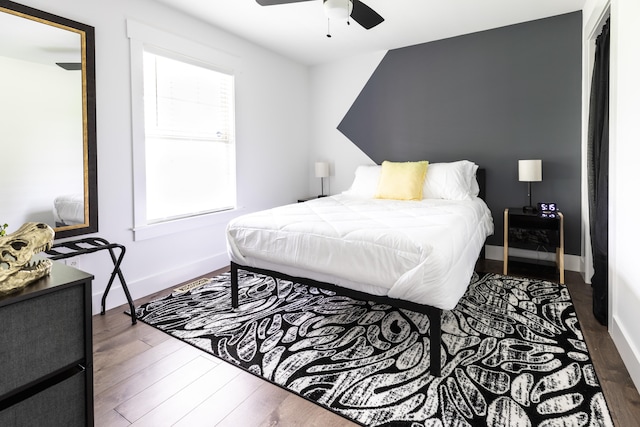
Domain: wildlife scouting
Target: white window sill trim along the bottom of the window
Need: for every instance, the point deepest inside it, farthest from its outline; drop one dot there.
(145, 232)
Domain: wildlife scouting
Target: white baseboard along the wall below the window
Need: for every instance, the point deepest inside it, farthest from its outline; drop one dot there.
(159, 281)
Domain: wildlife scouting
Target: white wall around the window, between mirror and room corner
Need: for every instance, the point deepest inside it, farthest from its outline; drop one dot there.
(272, 143)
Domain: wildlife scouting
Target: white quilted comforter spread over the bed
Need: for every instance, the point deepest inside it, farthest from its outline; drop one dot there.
(421, 251)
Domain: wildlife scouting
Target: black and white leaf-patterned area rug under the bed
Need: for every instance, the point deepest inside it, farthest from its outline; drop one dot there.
(513, 352)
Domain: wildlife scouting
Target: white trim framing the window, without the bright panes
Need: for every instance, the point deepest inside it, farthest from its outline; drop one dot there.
(141, 38)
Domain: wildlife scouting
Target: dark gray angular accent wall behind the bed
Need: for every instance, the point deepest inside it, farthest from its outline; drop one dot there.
(492, 97)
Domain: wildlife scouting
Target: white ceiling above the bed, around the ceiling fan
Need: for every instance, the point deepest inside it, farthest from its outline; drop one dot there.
(298, 30)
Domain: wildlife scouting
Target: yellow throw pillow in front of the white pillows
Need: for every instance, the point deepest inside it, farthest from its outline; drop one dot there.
(402, 180)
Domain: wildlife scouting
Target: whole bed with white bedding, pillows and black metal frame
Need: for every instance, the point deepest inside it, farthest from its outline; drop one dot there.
(416, 250)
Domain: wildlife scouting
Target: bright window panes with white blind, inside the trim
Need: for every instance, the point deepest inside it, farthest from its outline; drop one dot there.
(189, 145)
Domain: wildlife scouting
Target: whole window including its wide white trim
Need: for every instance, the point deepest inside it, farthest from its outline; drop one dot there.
(183, 132)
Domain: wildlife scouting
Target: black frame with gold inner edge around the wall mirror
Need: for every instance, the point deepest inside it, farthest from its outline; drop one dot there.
(87, 68)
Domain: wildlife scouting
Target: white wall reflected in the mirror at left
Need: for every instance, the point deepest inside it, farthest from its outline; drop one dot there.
(54, 95)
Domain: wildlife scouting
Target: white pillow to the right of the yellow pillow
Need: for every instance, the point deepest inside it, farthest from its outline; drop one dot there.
(451, 181)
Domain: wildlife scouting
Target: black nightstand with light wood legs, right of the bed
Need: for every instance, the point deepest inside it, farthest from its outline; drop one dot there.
(530, 230)
